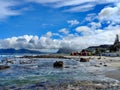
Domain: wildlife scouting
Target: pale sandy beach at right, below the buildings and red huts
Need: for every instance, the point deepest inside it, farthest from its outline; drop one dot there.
(111, 62)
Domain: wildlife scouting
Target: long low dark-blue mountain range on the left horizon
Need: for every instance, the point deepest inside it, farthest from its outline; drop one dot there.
(13, 51)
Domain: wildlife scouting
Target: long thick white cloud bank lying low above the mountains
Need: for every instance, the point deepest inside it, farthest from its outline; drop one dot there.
(73, 41)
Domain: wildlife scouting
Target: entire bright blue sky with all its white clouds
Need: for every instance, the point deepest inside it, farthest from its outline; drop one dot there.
(53, 24)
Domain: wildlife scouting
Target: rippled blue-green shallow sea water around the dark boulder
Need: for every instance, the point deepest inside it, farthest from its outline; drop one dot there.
(41, 70)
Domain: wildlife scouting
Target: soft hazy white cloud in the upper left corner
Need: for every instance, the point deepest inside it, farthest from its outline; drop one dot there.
(5, 9)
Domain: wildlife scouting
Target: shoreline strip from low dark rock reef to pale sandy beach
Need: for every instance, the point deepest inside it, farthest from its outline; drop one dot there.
(111, 62)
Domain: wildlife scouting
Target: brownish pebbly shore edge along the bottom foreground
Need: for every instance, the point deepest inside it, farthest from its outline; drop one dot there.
(69, 85)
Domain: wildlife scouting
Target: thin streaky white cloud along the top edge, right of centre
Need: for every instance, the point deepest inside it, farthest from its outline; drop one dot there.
(76, 5)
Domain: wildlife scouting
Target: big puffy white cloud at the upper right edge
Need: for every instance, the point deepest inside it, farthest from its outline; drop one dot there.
(110, 14)
